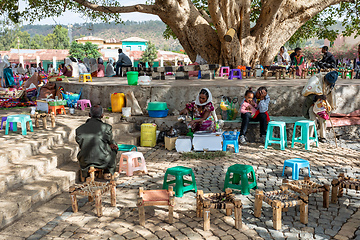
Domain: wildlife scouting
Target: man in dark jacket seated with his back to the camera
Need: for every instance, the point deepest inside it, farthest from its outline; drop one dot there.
(97, 147)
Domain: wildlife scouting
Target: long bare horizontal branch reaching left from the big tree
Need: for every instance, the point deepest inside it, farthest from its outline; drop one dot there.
(143, 8)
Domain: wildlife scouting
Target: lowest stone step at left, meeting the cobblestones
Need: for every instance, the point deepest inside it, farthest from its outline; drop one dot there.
(32, 194)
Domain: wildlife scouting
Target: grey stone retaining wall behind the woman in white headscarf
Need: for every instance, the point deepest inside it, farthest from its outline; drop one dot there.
(285, 100)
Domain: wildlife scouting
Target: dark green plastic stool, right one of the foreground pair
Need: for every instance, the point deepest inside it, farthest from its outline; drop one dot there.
(240, 173)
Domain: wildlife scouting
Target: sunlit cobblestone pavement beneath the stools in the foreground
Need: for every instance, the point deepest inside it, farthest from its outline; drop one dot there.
(55, 219)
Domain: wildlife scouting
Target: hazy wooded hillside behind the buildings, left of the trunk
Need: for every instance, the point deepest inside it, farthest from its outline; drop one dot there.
(150, 30)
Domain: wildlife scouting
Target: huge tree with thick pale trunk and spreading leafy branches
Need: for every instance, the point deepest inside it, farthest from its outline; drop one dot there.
(261, 26)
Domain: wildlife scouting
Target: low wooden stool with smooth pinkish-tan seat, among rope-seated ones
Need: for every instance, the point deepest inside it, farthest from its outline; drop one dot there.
(155, 198)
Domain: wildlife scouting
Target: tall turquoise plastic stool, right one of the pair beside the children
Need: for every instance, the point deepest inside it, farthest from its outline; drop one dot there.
(305, 134)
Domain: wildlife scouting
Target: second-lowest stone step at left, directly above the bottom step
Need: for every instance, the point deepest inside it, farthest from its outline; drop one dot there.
(21, 171)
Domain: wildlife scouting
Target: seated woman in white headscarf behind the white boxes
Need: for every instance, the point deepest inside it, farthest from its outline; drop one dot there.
(201, 109)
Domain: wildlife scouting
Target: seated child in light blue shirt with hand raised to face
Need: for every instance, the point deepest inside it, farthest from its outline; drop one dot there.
(262, 99)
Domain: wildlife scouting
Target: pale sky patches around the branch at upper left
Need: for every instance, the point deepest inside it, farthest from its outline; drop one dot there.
(72, 18)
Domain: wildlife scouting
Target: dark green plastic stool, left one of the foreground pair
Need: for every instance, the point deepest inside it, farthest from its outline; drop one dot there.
(179, 181)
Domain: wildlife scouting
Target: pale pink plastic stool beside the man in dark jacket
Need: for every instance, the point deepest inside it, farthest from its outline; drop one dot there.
(132, 163)
